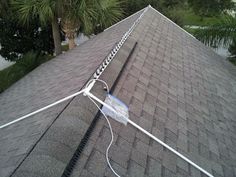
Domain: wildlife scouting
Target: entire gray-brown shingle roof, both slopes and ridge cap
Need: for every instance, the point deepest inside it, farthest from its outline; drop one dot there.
(175, 87)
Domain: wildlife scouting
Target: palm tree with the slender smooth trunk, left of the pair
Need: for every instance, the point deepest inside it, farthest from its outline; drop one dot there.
(44, 10)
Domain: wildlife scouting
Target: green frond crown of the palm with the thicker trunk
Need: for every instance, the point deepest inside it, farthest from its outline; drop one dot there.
(89, 13)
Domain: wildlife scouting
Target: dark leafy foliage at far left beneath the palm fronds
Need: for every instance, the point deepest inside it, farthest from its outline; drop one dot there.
(16, 39)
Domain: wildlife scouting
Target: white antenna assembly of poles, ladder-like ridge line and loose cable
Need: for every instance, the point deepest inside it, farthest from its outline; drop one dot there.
(87, 93)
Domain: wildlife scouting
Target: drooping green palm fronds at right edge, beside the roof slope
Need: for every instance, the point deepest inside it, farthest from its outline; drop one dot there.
(221, 33)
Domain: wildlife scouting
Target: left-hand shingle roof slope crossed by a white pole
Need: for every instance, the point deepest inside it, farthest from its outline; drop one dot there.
(49, 82)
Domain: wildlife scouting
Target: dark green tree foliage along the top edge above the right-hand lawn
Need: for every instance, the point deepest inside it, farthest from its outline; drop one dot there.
(209, 7)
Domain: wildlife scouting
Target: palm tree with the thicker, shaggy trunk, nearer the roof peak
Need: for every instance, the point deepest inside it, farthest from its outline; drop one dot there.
(87, 14)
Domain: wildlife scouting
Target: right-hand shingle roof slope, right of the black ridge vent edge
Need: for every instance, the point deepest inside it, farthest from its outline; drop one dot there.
(184, 94)
